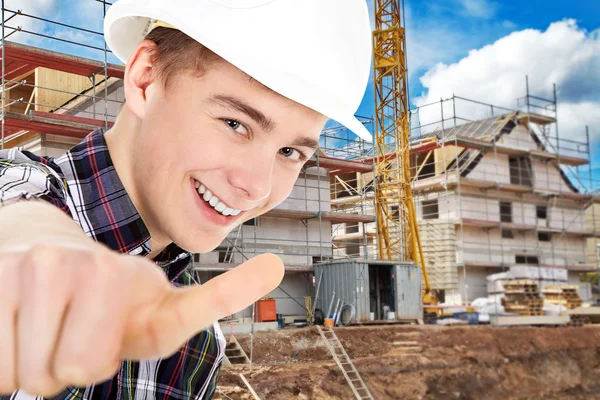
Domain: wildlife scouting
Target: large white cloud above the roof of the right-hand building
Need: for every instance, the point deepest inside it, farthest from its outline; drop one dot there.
(563, 54)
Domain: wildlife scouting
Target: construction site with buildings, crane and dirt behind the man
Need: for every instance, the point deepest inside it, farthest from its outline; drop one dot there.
(454, 257)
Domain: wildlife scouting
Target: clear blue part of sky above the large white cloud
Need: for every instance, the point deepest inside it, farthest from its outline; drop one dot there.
(446, 30)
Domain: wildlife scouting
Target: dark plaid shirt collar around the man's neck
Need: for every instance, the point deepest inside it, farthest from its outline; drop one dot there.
(100, 204)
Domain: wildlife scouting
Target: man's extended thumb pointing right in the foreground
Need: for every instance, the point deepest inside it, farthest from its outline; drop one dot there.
(187, 311)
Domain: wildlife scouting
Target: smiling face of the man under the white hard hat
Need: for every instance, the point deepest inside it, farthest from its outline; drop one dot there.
(217, 150)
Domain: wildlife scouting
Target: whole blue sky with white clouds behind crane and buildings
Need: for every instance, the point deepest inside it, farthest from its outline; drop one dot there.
(479, 49)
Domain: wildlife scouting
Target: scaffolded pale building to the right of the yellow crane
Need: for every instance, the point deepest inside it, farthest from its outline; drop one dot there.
(497, 187)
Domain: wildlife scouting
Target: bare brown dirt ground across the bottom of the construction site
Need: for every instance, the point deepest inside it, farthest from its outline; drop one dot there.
(467, 362)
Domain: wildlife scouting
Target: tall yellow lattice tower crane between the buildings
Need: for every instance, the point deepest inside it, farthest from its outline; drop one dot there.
(397, 230)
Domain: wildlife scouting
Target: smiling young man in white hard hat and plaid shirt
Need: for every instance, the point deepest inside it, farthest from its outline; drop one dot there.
(225, 101)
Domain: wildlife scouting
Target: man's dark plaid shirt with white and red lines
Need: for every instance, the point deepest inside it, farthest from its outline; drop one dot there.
(84, 184)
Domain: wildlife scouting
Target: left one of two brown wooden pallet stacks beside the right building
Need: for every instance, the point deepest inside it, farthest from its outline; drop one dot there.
(523, 298)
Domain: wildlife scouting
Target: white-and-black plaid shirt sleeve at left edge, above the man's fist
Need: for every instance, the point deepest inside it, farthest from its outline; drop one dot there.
(22, 178)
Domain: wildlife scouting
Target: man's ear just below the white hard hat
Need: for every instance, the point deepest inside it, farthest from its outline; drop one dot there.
(138, 77)
